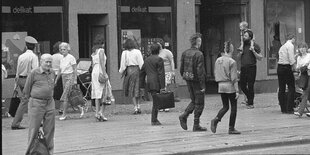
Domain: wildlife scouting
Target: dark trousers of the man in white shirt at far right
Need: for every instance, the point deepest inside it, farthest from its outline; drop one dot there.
(286, 77)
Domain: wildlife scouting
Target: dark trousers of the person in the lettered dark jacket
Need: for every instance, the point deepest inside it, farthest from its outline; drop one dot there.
(197, 100)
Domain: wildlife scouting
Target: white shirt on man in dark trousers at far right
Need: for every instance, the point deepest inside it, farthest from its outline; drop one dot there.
(286, 54)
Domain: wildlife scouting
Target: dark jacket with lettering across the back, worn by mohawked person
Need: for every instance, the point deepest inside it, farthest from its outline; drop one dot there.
(192, 66)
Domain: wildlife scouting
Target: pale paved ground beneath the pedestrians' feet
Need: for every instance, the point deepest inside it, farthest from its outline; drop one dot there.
(263, 128)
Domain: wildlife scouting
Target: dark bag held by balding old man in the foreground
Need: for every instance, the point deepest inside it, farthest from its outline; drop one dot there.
(39, 146)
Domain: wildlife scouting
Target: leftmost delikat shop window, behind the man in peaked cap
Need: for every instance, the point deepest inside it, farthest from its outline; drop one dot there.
(40, 19)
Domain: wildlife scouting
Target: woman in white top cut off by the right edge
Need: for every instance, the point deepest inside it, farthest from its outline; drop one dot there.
(303, 65)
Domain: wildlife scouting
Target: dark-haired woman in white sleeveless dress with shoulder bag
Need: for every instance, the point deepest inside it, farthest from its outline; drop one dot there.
(97, 90)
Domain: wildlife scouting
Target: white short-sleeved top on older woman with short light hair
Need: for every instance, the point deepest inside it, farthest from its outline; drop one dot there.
(66, 64)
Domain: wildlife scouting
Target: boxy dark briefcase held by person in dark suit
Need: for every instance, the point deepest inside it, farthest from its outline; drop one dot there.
(164, 100)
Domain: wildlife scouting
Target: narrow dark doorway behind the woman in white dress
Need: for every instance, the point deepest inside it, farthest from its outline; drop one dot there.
(89, 25)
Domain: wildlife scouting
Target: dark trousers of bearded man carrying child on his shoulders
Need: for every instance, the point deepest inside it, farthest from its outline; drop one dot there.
(247, 80)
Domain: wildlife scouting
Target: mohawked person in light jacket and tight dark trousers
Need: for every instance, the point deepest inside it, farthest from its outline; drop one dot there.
(225, 71)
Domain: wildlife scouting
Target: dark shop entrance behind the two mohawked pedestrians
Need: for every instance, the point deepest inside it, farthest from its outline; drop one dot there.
(219, 22)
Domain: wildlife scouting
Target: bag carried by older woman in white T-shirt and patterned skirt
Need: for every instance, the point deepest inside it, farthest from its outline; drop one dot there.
(75, 96)
